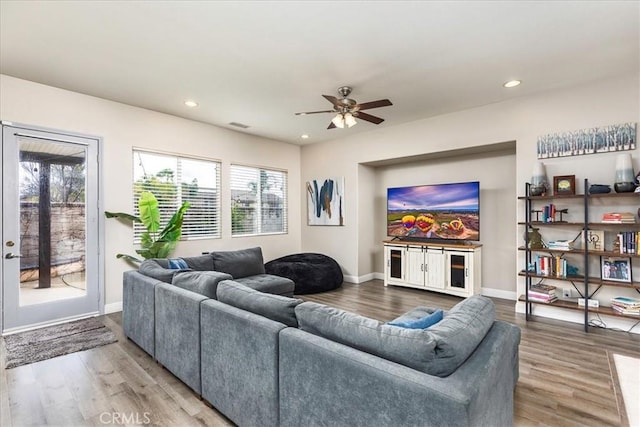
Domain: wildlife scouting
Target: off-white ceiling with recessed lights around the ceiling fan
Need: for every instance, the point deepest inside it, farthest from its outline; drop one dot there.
(259, 62)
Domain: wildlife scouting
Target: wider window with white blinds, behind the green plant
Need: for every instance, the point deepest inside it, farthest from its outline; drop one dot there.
(174, 180)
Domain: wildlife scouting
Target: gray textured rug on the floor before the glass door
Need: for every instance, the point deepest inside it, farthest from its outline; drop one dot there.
(41, 344)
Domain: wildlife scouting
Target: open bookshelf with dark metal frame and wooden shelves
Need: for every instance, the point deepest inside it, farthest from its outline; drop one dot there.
(589, 283)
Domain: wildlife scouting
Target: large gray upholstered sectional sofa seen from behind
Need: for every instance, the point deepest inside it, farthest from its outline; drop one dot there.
(264, 359)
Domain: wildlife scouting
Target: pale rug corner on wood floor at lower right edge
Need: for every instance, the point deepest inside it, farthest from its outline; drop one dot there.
(626, 376)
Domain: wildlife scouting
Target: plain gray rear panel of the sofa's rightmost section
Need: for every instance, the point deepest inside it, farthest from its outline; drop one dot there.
(326, 383)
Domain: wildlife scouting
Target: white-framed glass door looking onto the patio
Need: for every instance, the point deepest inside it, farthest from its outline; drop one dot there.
(50, 227)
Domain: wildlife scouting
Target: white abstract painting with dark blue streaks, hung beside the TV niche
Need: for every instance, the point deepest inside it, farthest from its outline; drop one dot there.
(325, 204)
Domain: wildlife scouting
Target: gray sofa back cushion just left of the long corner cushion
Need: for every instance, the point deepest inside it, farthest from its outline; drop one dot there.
(274, 307)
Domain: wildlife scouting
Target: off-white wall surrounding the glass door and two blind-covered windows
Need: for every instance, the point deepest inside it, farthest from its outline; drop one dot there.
(123, 127)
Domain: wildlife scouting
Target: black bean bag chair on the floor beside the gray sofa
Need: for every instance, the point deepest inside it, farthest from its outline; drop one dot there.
(311, 273)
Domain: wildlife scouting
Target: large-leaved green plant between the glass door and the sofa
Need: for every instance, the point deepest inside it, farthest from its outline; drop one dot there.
(155, 242)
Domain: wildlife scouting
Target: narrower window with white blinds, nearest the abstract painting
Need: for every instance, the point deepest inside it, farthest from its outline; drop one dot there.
(258, 201)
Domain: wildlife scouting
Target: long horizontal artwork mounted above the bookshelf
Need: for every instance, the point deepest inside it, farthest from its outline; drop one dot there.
(603, 139)
